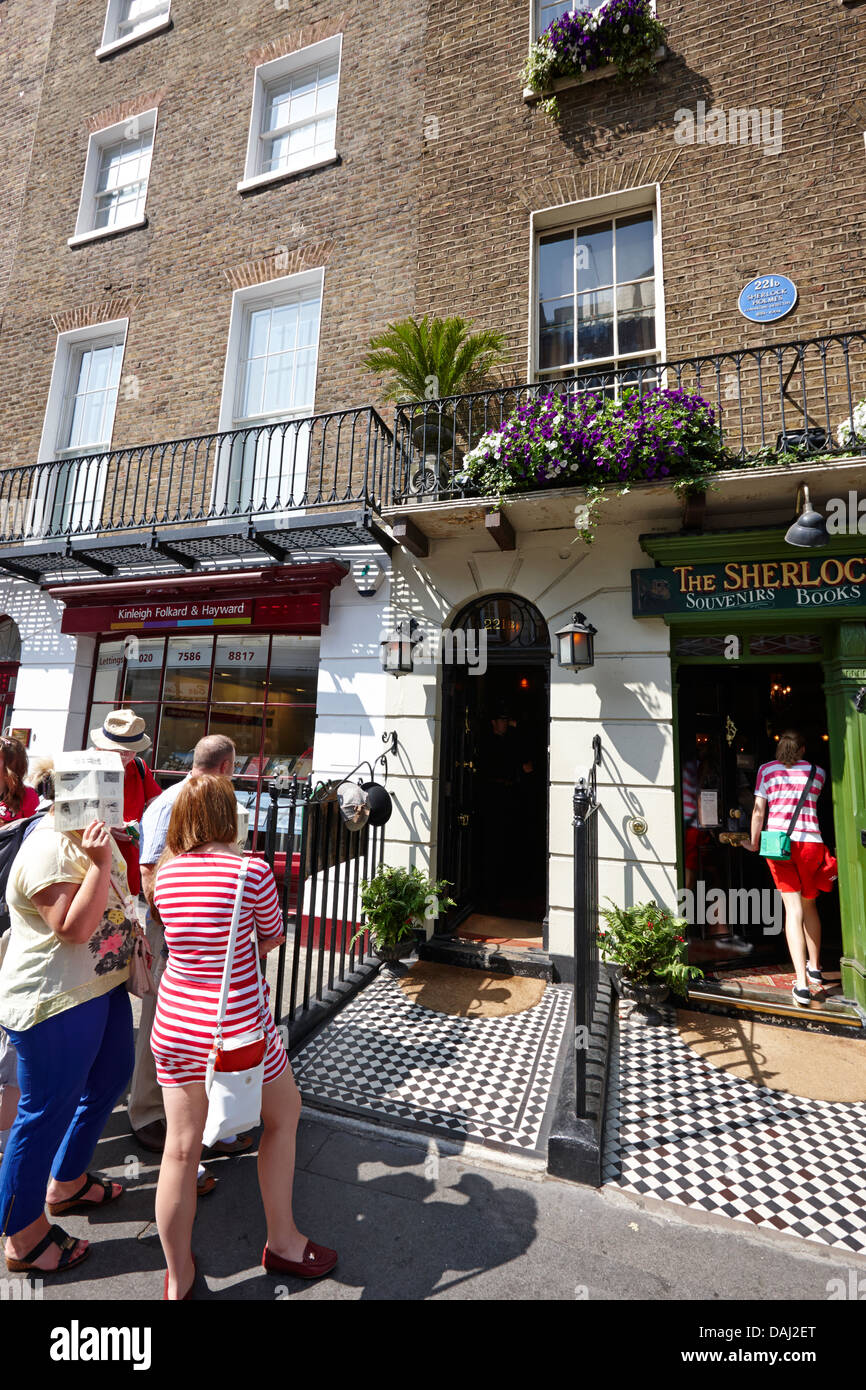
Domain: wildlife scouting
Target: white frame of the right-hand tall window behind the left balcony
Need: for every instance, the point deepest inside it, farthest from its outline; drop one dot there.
(244, 301)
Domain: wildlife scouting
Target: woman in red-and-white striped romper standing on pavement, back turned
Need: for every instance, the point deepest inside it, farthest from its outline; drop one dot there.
(194, 893)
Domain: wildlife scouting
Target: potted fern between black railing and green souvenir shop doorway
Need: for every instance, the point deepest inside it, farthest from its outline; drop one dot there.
(647, 947)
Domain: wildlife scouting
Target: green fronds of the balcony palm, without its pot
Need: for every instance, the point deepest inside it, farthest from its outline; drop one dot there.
(426, 359)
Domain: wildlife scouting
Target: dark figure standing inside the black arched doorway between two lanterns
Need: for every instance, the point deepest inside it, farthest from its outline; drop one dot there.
(504, 767)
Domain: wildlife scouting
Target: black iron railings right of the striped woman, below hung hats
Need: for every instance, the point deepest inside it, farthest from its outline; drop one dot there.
(320, 867)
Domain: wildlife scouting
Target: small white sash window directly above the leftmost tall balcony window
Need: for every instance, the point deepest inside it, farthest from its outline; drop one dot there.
(116, 179)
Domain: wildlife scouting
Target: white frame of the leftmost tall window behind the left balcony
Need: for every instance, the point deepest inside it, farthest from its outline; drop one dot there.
(44, 497)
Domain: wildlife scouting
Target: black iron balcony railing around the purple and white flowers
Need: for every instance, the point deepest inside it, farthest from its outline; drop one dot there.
(774, 401)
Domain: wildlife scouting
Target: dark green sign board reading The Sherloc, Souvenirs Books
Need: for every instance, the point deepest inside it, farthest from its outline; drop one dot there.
(801, 586)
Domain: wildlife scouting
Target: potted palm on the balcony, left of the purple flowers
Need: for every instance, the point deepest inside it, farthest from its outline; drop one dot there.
(426, 361)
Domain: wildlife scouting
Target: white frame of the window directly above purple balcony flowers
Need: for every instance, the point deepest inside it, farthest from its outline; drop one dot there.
(644, 199)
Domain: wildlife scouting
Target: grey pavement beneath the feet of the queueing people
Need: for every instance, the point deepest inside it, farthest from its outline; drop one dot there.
(415, 1223)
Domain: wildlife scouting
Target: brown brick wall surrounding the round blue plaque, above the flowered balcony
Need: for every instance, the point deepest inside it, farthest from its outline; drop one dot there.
(726, 211)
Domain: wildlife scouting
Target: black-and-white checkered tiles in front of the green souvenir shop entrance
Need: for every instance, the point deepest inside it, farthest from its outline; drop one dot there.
(686, 1132)
